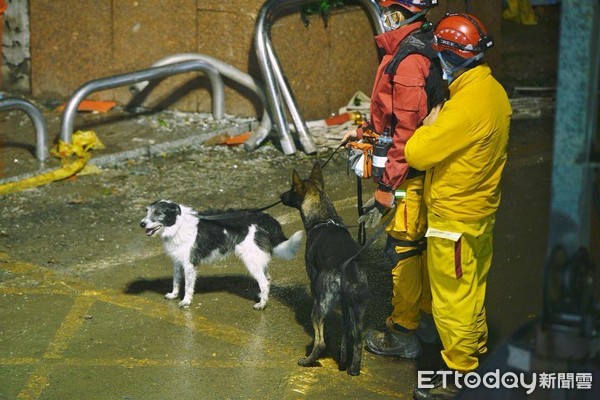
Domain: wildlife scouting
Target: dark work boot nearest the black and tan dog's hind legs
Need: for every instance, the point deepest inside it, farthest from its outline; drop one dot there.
(393, 342)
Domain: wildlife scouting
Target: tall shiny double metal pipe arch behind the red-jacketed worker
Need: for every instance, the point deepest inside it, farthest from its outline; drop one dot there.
(275, 82)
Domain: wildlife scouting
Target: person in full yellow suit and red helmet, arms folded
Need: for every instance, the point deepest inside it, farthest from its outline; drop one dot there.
(463, 148)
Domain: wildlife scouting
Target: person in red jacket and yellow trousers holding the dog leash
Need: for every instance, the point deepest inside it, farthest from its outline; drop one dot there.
(407, 86)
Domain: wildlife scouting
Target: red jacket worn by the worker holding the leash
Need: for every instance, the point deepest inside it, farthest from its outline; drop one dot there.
(399, 102)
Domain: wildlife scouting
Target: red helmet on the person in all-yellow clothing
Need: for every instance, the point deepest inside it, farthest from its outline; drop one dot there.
(462, 34)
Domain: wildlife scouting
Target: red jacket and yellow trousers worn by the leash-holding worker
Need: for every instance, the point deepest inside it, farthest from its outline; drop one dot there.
(401, 103)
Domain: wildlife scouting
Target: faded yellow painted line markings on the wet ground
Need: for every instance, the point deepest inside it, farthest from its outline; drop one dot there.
(299, 381)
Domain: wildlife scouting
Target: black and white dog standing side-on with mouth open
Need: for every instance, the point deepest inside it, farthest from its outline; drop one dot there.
(190, 238)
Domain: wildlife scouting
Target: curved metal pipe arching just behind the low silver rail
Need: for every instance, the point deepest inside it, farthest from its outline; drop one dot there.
(234, 74)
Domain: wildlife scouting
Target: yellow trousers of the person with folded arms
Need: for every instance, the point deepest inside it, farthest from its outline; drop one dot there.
(458, 272)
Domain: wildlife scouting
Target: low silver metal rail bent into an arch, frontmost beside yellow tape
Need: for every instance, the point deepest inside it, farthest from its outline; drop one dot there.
(139, 76)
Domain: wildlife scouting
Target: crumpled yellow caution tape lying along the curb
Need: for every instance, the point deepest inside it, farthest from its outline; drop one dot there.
(73, 156)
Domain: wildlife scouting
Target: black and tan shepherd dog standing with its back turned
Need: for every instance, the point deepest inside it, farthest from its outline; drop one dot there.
(335, 278)
